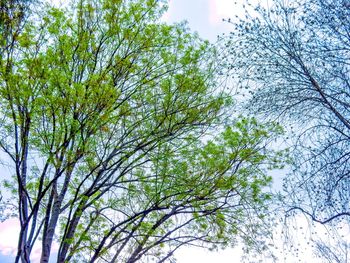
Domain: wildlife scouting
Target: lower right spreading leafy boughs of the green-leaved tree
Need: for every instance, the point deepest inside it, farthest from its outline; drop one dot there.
(209, 193)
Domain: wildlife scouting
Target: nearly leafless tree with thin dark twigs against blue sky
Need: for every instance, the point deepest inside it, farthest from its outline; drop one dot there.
(294, 57)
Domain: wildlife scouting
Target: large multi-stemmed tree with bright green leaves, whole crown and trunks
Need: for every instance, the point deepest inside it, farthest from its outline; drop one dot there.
(108, 119)
